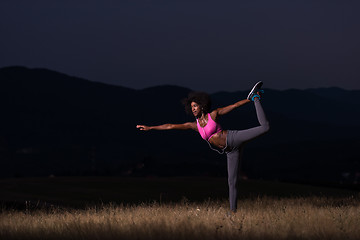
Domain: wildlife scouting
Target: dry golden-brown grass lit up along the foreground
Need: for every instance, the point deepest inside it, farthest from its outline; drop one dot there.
(261, 218)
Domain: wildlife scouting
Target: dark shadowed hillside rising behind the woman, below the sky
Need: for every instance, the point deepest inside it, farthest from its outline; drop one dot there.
(57, 124)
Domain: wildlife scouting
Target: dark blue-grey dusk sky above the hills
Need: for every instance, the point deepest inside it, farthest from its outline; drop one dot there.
(204, 45)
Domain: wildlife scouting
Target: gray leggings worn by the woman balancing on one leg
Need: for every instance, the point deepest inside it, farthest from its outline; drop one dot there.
(235, 142)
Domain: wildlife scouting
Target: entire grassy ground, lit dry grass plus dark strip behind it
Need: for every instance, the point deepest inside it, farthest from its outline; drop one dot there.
(173, 208)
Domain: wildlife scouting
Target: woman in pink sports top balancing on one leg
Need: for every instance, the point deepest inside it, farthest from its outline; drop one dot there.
(228, 141)
